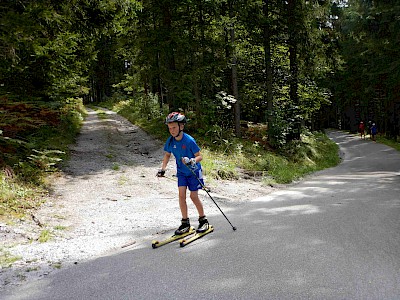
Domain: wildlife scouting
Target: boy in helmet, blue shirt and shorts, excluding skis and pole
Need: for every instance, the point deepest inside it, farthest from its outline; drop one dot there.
(187, 155)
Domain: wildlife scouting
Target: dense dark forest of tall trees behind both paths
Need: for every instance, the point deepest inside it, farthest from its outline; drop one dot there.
(288, 65)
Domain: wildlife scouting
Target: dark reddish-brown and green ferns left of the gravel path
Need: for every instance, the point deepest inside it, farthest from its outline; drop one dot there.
(38, 141)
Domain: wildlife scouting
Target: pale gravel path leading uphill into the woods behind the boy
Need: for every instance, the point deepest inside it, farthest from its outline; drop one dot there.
(107, 199)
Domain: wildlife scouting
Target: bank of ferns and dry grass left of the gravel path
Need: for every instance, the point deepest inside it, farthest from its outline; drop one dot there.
(32, 149)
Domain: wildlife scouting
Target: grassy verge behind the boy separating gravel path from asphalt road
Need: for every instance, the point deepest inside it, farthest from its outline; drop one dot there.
(227, 157)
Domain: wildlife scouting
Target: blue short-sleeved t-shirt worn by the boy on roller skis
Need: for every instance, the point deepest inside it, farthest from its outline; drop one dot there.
(186, 147)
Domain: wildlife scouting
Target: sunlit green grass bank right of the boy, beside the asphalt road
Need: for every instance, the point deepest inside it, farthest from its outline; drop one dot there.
(314, 152)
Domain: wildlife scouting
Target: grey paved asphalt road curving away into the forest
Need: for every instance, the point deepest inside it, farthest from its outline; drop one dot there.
(335, 235)
